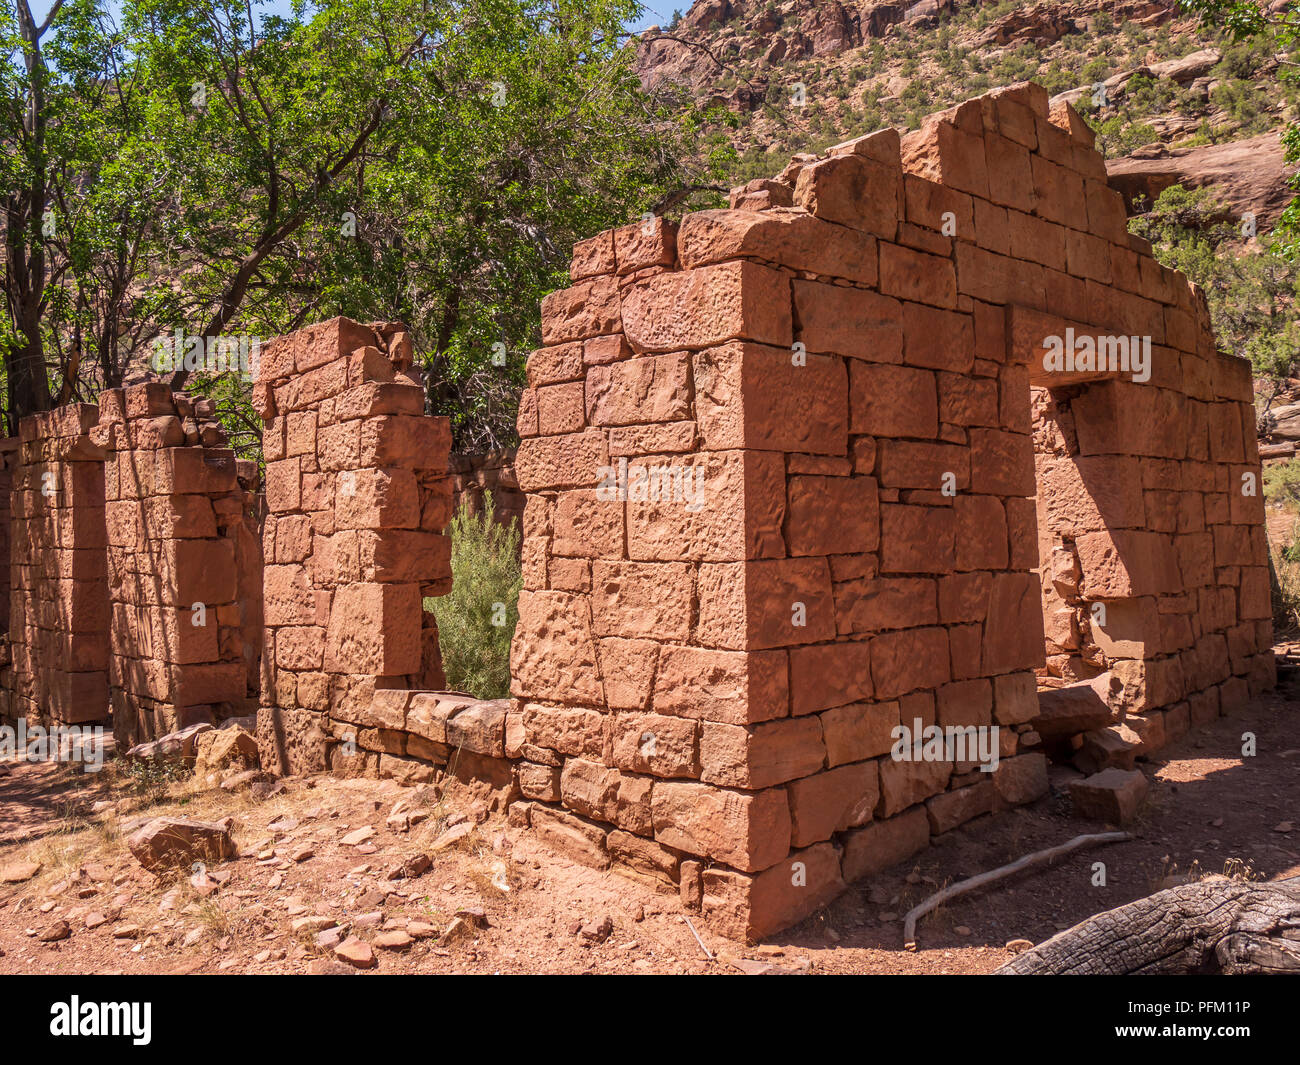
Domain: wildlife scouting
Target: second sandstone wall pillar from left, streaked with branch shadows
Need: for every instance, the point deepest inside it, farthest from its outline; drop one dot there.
(180, 518)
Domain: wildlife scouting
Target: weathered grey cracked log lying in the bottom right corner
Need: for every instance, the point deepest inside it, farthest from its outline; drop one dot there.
(1212, 927)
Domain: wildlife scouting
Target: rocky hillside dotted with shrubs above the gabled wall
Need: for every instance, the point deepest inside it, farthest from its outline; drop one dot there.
(1171, 103)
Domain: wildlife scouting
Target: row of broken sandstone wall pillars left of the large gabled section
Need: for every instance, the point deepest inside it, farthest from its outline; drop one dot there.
(145, 596)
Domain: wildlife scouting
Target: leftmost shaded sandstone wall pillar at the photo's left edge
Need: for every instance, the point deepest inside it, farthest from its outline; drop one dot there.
(59, 616)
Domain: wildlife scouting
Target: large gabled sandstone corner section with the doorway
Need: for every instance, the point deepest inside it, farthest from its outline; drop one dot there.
(782, 466)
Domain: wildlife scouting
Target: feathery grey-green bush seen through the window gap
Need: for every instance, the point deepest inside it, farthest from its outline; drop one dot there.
(476, 620)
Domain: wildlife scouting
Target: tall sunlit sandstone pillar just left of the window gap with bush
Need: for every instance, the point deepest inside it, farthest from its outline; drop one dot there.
(357, 500)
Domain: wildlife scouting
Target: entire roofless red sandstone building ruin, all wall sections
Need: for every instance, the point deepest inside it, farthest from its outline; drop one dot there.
(873, 508)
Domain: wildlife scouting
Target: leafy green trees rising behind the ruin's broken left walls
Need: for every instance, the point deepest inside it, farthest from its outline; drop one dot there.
(426, 161)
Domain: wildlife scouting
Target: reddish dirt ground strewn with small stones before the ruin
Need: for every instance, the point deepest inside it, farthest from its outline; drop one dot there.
(495, 902)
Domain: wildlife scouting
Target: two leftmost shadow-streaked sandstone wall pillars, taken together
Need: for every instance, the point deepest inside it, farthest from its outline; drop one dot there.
(127, 517)
